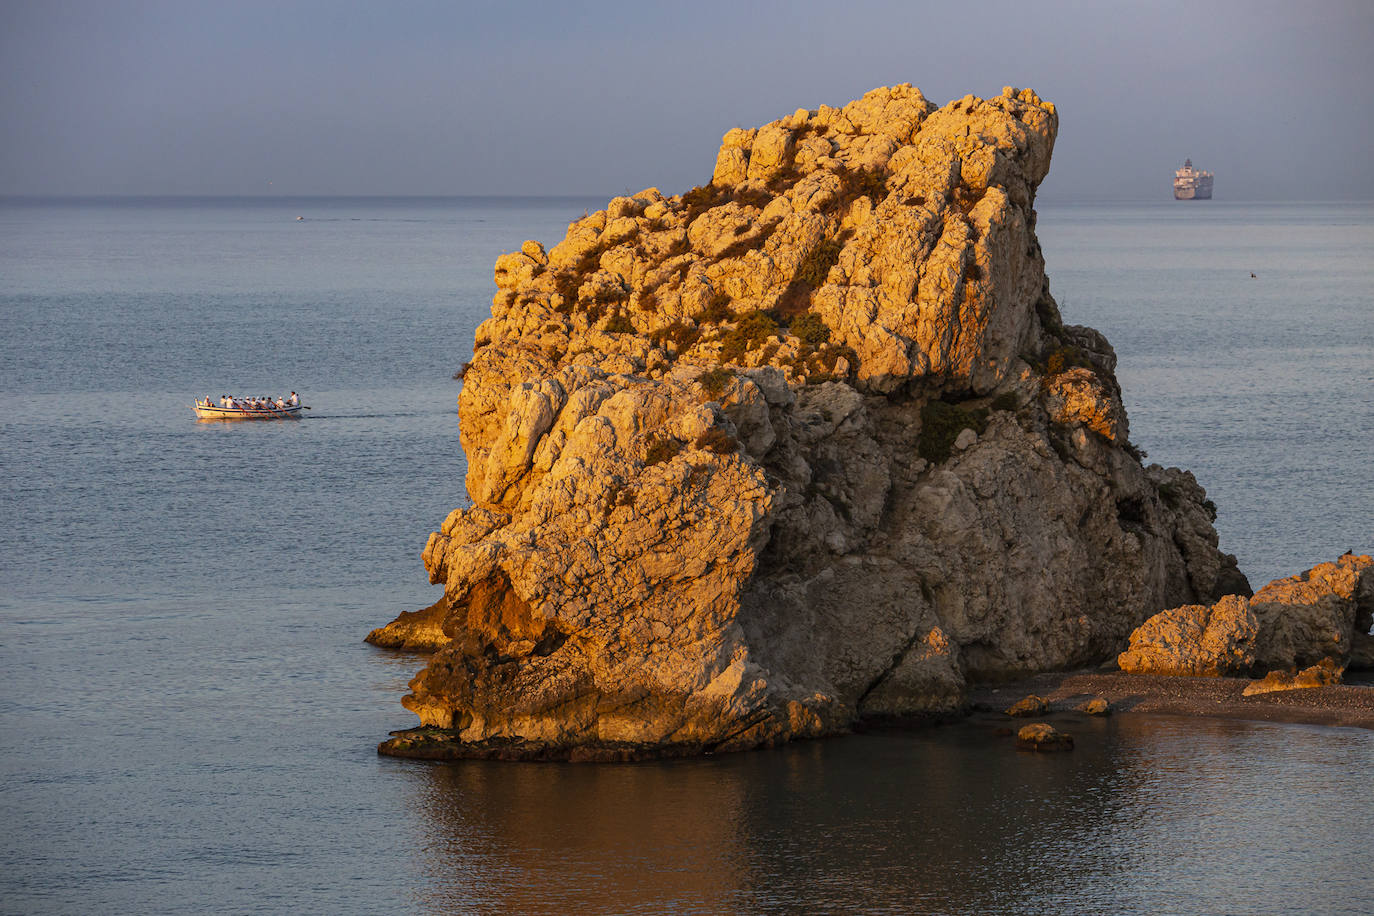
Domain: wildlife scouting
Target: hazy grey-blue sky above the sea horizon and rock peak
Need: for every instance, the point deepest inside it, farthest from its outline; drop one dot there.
(245, 98)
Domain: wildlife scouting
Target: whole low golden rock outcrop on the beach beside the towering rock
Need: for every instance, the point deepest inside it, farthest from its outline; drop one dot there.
(1294, 623)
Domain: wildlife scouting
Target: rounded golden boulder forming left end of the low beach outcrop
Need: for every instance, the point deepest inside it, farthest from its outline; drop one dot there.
(1195, 641)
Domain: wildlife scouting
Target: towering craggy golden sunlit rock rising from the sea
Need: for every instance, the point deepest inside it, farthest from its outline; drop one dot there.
(803, 446)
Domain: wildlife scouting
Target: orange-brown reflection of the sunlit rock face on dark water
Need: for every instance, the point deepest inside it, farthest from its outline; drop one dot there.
(531, 838)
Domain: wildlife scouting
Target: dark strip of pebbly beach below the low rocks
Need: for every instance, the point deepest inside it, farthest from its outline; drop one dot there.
(1346, 705)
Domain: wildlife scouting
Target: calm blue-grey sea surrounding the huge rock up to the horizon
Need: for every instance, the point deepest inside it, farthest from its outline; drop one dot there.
(189, 716)
